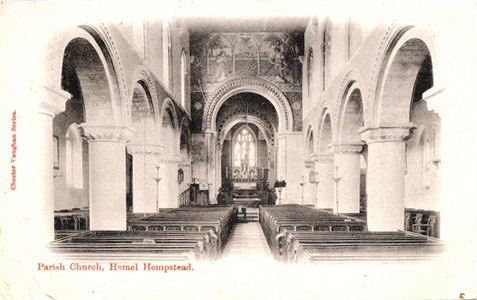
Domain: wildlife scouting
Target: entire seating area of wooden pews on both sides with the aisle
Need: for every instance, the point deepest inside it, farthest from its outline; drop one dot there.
(289, 233)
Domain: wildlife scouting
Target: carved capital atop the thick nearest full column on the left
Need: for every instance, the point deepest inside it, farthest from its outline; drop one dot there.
(105, 133)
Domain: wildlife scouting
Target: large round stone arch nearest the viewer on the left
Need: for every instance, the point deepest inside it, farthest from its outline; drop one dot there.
(102, 62)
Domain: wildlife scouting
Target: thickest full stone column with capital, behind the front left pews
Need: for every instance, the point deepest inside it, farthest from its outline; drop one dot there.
(107, 175)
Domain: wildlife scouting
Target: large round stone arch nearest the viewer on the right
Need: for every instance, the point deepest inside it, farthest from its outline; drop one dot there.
(403, 59)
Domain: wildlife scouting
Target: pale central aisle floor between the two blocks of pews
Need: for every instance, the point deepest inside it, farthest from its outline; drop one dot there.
(247, 241)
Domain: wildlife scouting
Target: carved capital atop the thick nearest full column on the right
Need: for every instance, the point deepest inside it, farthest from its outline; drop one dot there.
(386, 133)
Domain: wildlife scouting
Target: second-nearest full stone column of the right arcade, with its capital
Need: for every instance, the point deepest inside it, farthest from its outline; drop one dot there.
(347, 170)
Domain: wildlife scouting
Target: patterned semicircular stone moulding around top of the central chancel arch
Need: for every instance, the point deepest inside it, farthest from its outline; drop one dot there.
(253, 85)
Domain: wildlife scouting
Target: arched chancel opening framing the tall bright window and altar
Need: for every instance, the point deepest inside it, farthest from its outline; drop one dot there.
(251, 117)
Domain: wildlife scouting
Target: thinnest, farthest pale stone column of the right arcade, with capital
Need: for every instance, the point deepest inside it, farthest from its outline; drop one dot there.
(324, 175)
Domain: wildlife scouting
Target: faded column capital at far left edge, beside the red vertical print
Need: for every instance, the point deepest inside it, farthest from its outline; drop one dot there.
(51, 101)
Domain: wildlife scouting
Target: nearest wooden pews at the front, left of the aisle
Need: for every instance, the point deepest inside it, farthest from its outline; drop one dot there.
(127, 245)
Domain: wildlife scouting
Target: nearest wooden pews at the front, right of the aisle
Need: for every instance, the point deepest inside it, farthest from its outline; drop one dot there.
(334, 246)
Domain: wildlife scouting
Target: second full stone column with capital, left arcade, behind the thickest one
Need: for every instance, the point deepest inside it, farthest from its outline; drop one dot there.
(145, 158)
